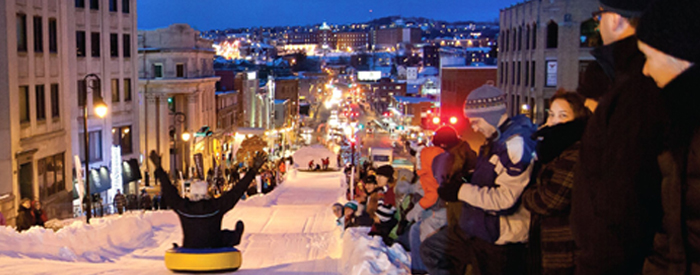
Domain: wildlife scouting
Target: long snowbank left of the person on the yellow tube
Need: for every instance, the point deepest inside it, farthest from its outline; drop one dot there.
(101, 241)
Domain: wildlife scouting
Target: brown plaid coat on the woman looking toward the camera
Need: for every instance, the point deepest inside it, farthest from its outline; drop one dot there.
(548, 197)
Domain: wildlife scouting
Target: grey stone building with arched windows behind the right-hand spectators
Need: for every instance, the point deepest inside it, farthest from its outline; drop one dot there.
(544, 45)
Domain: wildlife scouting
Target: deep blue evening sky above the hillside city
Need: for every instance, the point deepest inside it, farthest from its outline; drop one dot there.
(221, 14)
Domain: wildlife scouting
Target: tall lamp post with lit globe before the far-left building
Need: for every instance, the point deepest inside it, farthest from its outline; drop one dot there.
(100, 111)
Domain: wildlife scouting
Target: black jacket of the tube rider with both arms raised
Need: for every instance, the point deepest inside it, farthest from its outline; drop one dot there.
(201, 220)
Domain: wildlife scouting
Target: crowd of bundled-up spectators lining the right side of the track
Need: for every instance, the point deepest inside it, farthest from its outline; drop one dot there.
(607, 185)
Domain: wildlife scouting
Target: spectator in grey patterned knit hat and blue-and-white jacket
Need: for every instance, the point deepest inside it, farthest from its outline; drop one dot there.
(493, 225)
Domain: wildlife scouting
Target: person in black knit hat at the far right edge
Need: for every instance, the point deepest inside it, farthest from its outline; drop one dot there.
(668, 37)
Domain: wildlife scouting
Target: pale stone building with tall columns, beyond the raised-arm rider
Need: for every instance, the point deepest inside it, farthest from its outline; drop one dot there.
(177, 89)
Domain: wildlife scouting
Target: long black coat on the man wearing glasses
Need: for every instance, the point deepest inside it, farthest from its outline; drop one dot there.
(616, 204)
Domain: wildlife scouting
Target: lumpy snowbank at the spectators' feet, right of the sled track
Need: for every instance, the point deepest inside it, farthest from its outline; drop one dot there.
(364, 254)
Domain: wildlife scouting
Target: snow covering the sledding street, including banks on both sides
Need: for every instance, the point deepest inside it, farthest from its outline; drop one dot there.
(291, 230)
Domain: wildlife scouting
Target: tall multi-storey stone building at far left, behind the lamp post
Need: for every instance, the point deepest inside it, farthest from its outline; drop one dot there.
(49, 48)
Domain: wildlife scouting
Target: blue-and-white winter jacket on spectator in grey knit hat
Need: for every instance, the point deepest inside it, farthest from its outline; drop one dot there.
(492, 197)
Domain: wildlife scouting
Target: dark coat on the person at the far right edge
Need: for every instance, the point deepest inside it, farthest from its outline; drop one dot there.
(677, 245)
